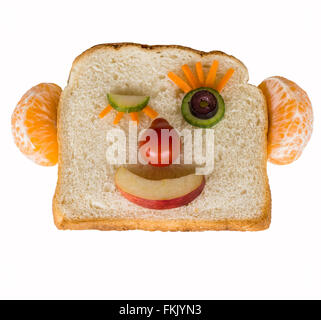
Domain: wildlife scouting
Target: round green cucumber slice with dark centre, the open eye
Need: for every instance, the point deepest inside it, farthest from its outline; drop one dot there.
(203, 107)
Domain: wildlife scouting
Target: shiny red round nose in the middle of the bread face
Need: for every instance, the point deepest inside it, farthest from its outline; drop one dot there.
(162, 149)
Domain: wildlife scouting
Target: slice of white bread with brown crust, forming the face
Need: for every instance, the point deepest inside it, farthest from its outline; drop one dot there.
(236, 195)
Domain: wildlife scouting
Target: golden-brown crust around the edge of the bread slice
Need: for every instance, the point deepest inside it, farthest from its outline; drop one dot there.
(261, 222)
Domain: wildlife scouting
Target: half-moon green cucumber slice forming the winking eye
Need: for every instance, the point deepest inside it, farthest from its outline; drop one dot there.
(127, 103)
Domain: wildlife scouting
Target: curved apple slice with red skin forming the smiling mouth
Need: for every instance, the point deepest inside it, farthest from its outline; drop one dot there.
(158, 194)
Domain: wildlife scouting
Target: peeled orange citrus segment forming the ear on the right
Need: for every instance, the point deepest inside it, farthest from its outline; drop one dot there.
(290, 119)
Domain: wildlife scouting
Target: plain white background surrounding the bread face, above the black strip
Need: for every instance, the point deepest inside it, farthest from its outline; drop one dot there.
(39, 40)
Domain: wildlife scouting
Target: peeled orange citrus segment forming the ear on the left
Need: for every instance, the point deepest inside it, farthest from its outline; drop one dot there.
(34, 124)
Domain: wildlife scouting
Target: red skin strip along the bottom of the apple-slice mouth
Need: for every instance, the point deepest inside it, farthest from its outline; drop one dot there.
(165, 204)
